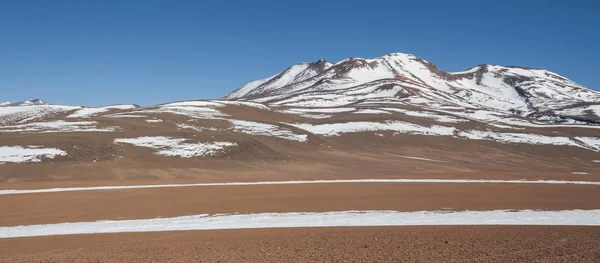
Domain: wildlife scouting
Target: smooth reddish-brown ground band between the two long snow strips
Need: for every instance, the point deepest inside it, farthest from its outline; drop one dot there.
(45, 208)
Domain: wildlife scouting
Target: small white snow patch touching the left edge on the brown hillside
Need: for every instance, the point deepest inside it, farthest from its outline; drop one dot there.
(19, 154)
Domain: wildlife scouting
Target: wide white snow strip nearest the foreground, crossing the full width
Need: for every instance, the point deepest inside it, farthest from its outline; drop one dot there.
(312, 219)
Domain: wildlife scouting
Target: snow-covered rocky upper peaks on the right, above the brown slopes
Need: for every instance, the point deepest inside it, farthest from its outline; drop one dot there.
(408, 79)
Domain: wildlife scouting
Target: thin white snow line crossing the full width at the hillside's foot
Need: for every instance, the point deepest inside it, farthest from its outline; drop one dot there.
(387, 181)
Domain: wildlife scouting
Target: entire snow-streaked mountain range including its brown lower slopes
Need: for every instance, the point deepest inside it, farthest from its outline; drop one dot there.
(396, 104)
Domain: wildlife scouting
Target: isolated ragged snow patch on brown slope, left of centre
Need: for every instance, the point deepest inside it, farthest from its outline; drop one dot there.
(168, 146)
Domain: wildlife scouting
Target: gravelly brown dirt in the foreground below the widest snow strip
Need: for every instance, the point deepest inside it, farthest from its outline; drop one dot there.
(369, 244)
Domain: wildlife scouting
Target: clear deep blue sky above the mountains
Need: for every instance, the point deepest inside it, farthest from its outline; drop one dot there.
(148, 52)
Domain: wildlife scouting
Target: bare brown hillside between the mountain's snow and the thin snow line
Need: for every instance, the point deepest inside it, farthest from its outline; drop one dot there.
(95, 156)
